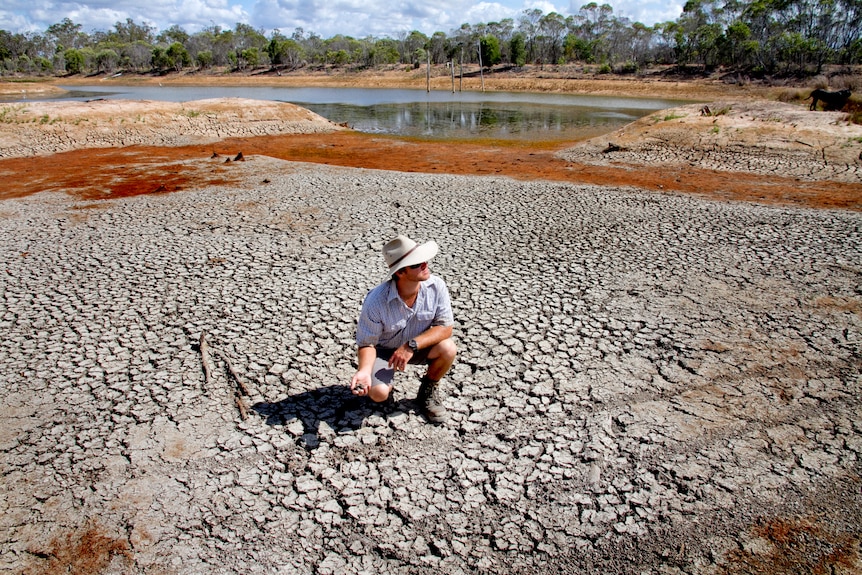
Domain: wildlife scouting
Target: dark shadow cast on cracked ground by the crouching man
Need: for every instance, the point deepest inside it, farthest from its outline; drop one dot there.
(335, 405)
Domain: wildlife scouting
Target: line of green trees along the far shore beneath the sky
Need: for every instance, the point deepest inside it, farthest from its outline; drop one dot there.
(758, 37)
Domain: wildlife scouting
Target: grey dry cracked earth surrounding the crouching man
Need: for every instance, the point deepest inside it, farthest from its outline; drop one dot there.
(646, 383)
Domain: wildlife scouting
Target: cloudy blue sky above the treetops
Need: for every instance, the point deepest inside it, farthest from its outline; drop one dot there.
(326, 18)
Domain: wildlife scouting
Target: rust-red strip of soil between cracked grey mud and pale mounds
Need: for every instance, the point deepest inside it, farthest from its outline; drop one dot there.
(119, 172)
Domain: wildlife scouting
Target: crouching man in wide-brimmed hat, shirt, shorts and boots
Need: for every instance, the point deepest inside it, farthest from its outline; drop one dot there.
(406, 320)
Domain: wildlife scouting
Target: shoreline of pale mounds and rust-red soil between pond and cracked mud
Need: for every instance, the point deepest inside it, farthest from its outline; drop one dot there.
(754, 150)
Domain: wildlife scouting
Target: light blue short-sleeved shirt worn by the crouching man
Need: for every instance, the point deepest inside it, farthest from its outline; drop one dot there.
(387, 322)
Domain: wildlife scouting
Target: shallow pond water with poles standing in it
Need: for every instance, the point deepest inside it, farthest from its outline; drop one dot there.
(439, 114)
